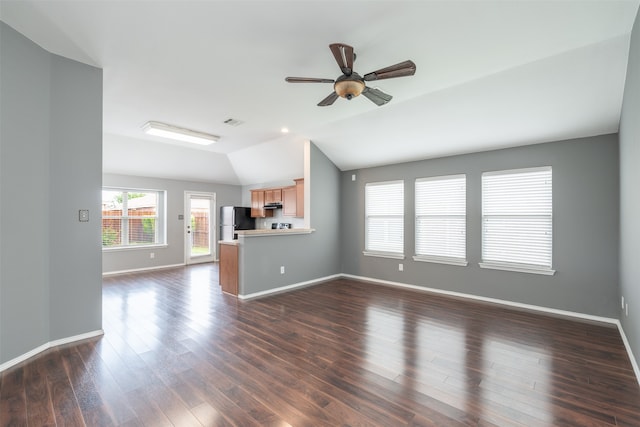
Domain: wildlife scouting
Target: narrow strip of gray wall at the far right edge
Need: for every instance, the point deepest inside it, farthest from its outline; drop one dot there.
(630, 195)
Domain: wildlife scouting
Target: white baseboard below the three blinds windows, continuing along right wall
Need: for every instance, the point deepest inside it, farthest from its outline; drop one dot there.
(564, 313)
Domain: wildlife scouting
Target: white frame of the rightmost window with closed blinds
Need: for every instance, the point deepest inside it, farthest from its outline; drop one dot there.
(544, 269)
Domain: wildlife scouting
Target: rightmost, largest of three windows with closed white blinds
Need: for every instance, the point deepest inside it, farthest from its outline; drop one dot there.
(517, 220)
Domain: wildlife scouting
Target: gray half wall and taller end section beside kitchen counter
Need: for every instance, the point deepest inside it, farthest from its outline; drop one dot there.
(307, 256)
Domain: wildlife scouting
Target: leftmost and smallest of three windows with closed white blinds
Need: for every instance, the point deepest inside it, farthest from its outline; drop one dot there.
(384, 219)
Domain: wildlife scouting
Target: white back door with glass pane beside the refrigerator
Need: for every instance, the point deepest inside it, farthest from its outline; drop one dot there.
(200, 219)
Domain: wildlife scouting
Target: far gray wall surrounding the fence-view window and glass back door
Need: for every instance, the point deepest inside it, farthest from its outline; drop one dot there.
(133, 259)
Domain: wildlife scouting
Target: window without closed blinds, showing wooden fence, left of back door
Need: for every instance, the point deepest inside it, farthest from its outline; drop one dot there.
(132, 218)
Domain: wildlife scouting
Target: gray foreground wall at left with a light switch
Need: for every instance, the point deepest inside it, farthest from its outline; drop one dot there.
(50, 117)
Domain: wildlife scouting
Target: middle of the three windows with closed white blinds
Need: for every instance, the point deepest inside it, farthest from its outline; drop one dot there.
(441, 219)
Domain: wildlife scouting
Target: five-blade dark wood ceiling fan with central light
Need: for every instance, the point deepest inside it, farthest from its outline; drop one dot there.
(350, 84)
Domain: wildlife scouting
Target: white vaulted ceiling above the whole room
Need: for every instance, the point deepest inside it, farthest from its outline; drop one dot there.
(490, 74)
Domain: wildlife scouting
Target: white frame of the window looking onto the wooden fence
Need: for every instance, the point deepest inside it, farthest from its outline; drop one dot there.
(160, 237)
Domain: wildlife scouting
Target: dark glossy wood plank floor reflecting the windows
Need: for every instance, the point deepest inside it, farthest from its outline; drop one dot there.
(176, 351)
